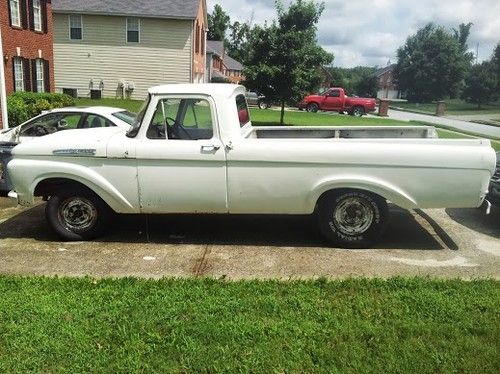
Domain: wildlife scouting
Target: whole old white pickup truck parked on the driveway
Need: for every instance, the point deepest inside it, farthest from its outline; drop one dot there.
(193, 150)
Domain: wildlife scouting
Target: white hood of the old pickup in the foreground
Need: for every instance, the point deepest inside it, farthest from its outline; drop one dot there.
(74, 143)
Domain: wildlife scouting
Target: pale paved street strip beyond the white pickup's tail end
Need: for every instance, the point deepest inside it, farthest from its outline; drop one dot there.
(458, 124)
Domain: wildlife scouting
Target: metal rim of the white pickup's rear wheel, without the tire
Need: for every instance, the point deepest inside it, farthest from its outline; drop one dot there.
(353, 216)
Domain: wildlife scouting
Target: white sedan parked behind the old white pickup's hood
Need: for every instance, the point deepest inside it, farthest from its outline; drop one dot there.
(53, 121)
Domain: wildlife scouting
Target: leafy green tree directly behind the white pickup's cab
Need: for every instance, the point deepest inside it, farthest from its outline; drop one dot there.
(285, 56)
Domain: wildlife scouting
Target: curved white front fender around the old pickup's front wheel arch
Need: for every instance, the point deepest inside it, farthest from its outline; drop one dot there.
(25, 175)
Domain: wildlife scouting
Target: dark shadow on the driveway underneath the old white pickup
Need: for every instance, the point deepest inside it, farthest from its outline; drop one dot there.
(403, 231)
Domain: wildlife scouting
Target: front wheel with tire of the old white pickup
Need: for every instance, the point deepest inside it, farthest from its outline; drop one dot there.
(76, 214)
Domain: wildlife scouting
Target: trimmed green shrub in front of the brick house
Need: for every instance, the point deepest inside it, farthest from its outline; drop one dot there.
(22, 106)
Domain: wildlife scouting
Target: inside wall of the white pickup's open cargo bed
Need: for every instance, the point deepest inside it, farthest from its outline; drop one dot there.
(320, 132)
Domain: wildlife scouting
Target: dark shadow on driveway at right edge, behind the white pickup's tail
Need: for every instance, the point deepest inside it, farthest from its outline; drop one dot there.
(478, 220)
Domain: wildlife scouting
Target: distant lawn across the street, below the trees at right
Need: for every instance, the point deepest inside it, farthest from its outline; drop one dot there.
(454, 107)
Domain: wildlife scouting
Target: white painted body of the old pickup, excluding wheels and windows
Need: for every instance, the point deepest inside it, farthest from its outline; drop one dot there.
(245, 173)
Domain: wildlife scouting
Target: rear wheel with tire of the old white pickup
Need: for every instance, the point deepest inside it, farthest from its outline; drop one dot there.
(352, 218)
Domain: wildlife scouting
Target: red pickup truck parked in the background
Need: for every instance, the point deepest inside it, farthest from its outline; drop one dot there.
(335, 99)
